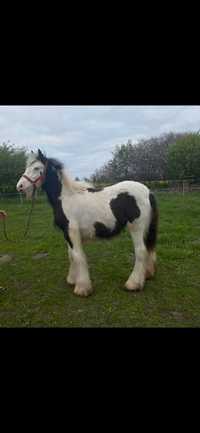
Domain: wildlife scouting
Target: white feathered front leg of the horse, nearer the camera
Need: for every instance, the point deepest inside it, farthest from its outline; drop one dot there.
(83, 286)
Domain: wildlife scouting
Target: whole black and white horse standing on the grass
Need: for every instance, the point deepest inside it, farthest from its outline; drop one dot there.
(83, 213)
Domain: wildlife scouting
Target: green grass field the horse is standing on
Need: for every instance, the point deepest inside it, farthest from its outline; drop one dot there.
(34, 292)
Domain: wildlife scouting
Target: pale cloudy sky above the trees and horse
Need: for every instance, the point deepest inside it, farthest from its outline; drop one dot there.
(83, 137)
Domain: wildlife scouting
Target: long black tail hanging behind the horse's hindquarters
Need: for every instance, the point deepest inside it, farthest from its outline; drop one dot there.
(151, 235)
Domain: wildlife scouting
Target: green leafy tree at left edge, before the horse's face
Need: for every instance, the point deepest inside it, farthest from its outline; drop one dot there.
(12, 164)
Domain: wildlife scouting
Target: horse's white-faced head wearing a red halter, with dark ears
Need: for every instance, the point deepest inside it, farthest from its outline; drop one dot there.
(34, 174)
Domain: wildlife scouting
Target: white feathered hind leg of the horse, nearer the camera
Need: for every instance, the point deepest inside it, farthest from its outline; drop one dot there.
(137, 278)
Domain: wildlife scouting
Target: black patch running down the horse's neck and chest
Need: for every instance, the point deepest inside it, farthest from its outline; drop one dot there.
(52, 186)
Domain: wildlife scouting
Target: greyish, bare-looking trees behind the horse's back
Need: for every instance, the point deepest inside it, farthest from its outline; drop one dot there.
(144, 161)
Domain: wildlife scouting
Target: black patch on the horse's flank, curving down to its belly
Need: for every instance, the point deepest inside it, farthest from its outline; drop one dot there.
(125, 209)
